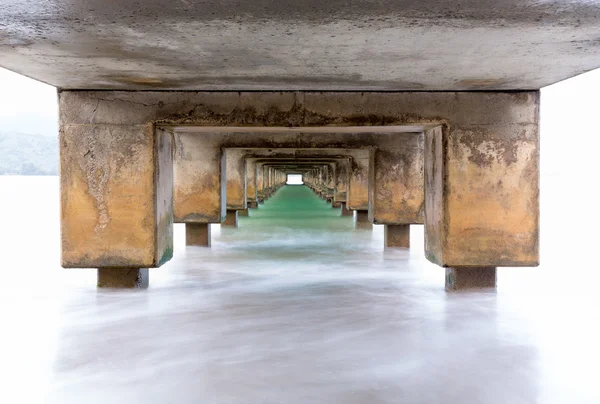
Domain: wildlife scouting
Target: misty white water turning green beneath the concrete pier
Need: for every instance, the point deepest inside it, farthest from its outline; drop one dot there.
(294, 306)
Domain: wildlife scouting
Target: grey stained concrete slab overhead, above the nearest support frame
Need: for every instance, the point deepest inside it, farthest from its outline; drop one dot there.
(312, 44)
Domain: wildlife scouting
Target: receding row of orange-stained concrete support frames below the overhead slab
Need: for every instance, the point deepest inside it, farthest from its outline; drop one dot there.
(466, 165)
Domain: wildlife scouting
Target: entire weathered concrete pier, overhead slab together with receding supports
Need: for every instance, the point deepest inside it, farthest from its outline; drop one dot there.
(405, 112)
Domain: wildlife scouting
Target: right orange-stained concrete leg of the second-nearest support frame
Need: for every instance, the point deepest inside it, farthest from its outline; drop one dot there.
(396, 190)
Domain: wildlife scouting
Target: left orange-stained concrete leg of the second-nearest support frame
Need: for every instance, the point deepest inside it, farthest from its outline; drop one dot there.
(200, 180)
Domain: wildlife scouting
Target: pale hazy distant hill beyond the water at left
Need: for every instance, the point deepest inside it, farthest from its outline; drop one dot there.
(25, 154)
